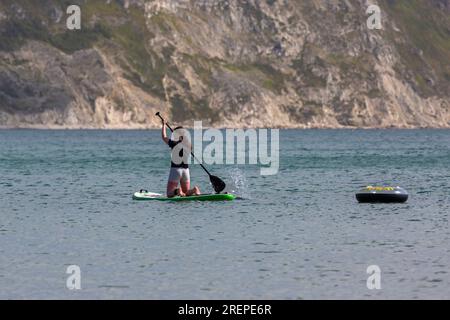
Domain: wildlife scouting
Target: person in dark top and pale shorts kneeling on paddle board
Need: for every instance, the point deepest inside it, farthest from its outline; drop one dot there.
(179, 169)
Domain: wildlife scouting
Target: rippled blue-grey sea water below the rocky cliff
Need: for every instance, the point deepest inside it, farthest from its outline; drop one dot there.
(300, 234)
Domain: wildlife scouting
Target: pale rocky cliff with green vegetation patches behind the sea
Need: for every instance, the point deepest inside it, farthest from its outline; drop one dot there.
(248, 63)
